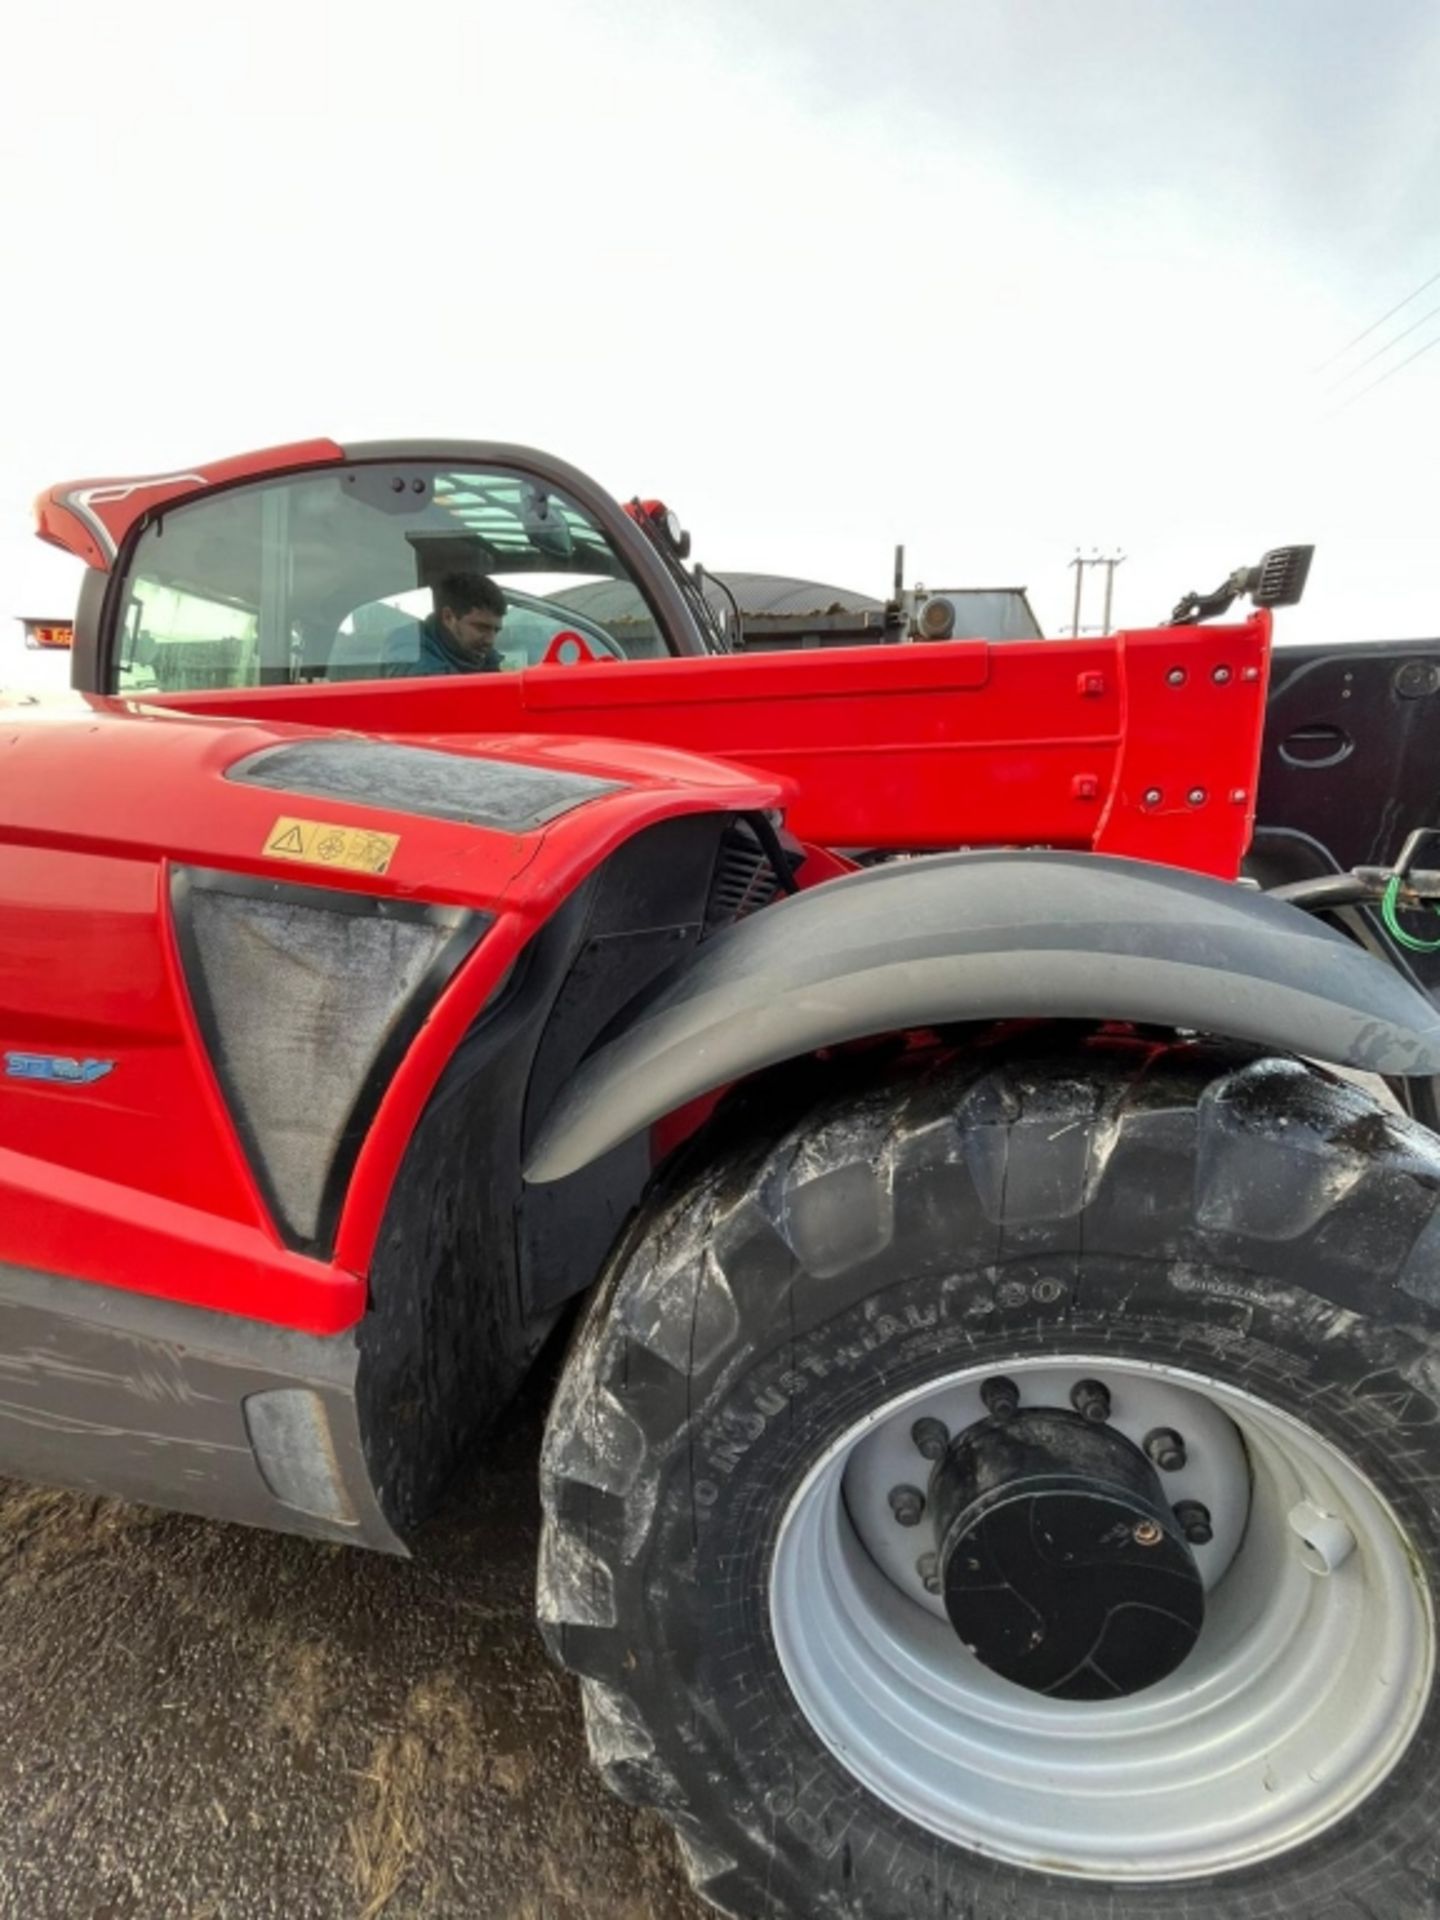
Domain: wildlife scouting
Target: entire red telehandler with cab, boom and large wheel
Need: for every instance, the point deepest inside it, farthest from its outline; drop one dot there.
(974, 1105)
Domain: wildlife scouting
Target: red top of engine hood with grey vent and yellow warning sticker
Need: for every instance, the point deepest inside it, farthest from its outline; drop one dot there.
(448, 821)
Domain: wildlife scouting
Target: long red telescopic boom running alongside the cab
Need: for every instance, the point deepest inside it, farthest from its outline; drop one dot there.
(1141, 744)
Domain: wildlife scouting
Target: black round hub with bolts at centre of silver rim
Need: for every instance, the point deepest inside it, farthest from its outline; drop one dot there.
(1061, 1562)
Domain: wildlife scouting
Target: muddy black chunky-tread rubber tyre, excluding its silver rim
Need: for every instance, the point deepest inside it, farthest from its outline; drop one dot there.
(1243, 1218)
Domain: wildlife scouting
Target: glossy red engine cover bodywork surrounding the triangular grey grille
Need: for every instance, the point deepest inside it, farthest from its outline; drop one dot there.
(139, 1180)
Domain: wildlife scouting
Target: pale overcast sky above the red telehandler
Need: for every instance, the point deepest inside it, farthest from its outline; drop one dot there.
(990, 277)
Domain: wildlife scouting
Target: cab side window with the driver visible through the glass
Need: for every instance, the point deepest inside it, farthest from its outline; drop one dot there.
(360, 575)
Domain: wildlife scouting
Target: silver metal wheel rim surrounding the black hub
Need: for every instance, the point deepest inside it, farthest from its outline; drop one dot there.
(1307, 1685)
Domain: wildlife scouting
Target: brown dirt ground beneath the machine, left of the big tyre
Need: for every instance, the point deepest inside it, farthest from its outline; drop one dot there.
(206, 1723)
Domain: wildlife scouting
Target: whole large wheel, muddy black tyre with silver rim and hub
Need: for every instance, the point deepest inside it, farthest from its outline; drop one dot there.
(1013, 1493)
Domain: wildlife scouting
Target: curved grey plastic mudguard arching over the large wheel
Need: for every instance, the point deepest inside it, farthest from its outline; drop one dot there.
(992, 936)
